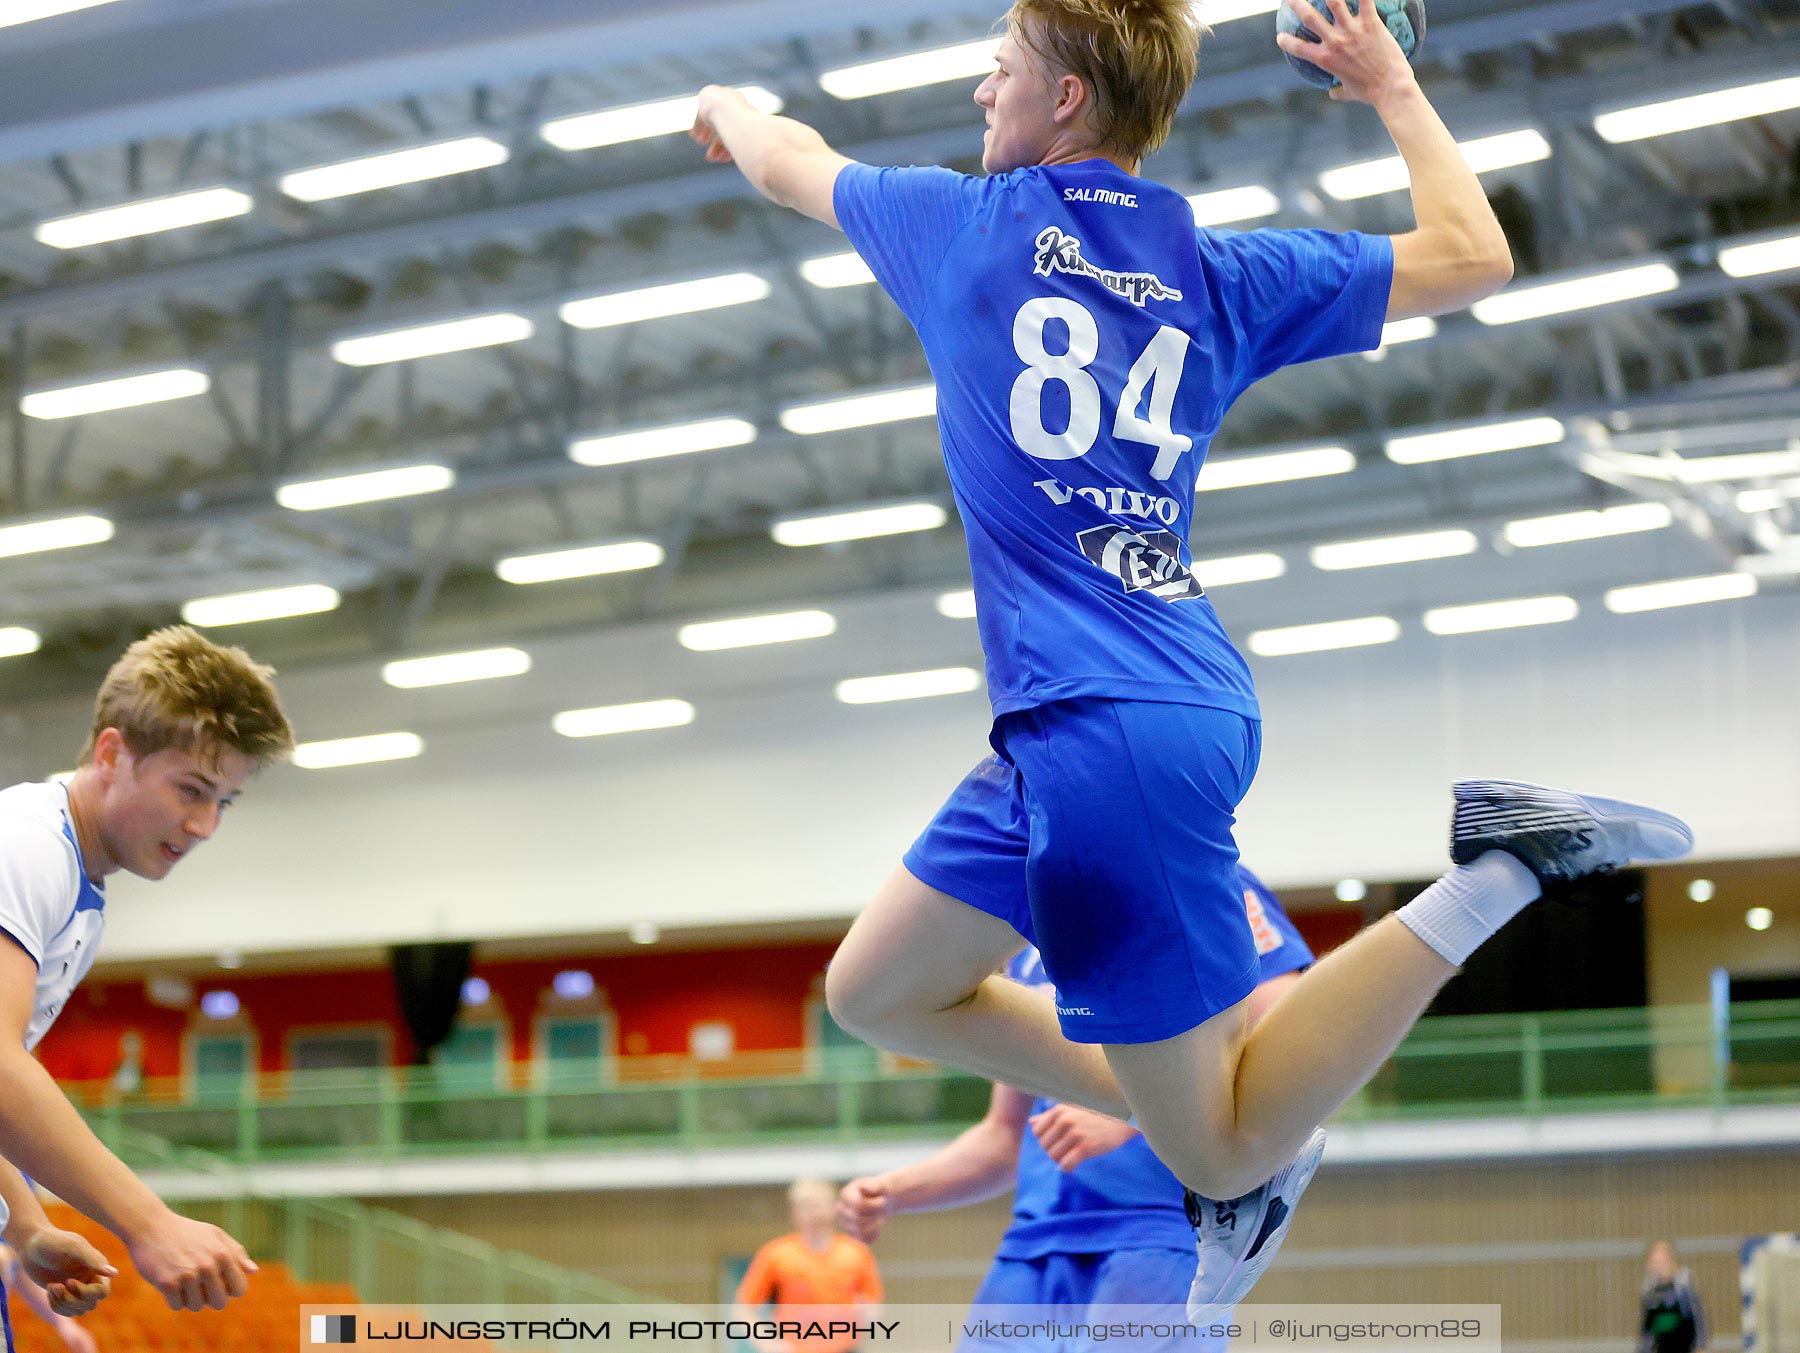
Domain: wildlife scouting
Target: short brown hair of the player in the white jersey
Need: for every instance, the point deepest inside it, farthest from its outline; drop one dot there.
(177, 688)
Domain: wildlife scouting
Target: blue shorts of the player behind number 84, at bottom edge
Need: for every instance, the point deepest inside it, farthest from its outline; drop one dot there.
(1146, 1286)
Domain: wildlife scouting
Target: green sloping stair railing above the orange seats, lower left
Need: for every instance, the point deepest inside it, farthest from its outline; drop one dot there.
(386, 1257)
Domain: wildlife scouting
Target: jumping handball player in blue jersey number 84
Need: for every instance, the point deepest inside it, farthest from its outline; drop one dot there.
(1086, 343)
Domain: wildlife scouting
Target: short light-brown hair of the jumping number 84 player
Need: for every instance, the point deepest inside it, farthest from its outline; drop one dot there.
(1138, 57)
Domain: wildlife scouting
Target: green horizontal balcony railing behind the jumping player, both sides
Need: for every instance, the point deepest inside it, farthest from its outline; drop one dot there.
(1453, 1066)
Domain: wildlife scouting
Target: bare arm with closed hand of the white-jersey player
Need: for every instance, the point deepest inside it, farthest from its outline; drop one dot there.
(188, 1262)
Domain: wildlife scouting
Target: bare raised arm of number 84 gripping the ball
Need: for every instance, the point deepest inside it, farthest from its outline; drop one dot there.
(1459, 253)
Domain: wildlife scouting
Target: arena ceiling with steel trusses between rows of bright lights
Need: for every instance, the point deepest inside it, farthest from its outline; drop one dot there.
(148, 100)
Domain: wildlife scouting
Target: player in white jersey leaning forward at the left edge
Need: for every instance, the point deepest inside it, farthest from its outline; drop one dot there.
(181, 724)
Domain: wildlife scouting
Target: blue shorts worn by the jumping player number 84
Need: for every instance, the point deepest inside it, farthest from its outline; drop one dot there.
(1104, 838)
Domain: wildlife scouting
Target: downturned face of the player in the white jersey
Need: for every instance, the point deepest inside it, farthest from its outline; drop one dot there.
(157, 809)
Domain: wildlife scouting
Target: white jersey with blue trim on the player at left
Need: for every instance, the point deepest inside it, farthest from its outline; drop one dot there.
(48, 902)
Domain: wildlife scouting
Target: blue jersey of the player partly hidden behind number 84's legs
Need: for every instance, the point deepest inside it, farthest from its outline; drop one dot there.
(1124, 1199)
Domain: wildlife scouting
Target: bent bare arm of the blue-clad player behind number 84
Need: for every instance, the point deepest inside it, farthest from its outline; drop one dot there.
(975, 1167)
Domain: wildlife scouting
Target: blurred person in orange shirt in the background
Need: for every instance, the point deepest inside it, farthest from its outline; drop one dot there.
(816, 1273)
